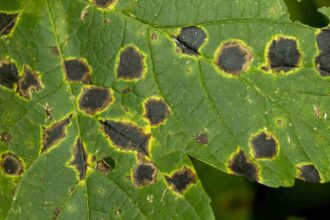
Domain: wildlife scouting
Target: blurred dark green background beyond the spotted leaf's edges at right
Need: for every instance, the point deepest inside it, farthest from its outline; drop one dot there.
(235, 198)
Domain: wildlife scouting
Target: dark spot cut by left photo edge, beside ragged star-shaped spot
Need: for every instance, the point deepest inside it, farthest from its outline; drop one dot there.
(8, 74)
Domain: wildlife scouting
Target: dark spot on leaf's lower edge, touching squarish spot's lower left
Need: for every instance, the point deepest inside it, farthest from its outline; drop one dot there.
(241, 165)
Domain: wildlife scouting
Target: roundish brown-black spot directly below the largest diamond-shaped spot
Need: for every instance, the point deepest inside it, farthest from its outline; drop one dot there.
(144, 174)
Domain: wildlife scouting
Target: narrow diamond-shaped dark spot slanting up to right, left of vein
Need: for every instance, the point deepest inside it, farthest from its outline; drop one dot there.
(53, 134)
